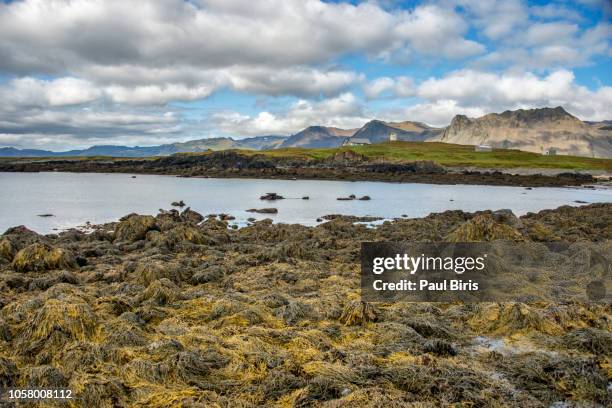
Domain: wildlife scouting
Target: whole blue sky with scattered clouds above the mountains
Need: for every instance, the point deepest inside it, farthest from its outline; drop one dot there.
(77, 73)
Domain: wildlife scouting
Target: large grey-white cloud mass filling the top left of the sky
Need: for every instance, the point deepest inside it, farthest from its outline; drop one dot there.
(51, 37)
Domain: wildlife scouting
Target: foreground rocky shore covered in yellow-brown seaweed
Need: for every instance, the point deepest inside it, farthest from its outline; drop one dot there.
(179, 310)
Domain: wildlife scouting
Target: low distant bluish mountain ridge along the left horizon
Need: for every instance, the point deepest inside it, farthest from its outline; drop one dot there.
(192, 146)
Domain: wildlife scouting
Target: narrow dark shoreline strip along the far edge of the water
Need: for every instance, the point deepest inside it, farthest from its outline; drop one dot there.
(411, 172)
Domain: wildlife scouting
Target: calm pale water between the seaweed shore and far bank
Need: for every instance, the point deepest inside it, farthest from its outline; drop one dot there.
(75, 198)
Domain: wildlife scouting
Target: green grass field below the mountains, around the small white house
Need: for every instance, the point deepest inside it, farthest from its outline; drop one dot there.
(454, 156)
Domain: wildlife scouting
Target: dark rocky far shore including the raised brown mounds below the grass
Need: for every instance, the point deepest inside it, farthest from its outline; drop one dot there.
(345, 165)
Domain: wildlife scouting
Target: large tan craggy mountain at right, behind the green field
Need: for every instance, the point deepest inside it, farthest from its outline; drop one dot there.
(535, 130)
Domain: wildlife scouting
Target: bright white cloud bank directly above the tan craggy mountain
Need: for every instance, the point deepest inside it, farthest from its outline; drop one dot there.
(475, 93)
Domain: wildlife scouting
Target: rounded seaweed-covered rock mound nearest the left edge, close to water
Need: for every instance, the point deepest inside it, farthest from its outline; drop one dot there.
(42, 257)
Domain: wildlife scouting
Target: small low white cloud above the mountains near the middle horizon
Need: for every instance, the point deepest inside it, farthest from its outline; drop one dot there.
(343, 111)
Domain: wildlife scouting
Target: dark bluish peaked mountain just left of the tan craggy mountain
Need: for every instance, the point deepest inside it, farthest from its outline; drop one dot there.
(377, 131)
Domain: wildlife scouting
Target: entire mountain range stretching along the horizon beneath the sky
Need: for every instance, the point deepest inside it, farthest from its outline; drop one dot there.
(536, 130)
